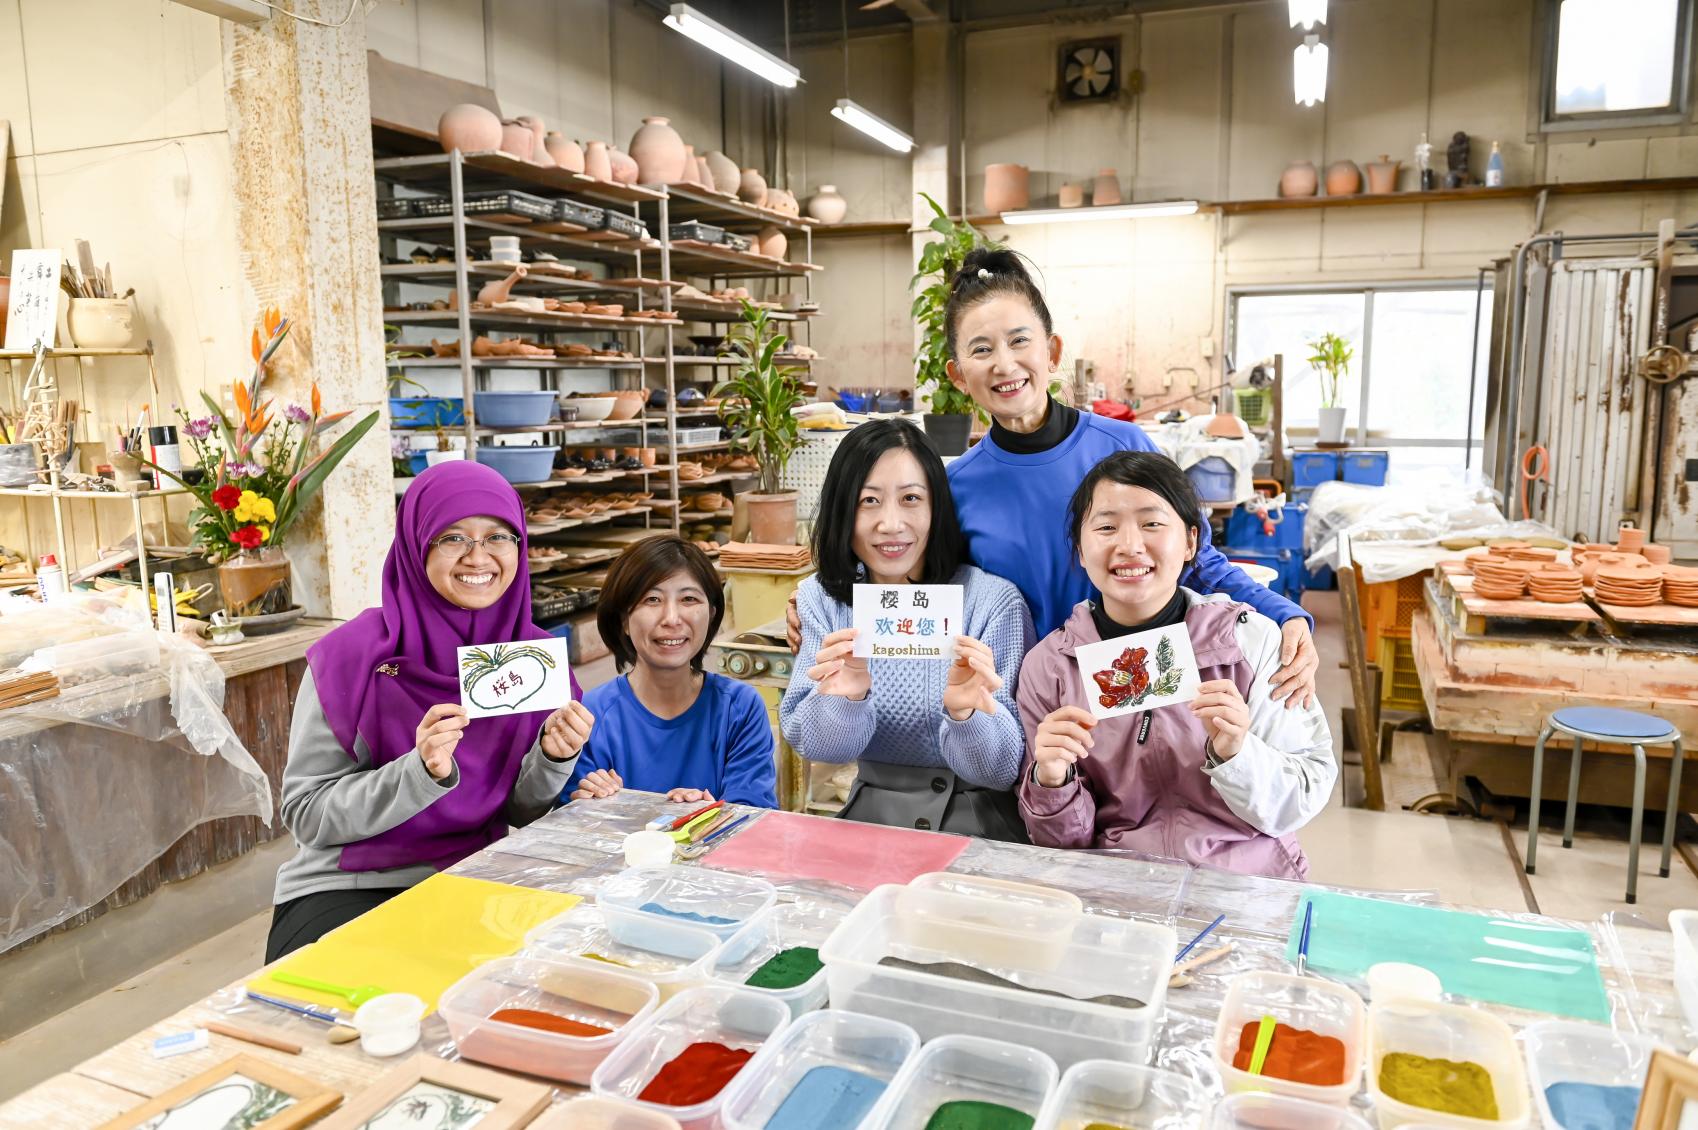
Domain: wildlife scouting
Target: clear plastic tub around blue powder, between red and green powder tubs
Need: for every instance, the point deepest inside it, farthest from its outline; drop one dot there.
(870, 1046)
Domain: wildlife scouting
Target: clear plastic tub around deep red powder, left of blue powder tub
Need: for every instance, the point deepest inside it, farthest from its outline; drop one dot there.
(707, 1014)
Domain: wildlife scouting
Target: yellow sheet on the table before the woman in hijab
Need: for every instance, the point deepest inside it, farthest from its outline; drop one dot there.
(420, 942)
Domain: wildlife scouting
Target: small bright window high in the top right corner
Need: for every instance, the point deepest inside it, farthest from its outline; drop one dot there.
(1617, 64)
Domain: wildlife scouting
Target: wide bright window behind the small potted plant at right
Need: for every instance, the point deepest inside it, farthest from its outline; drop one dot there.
(1417, 351)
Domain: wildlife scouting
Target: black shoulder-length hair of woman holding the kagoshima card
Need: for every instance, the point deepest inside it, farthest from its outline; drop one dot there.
(853, 461)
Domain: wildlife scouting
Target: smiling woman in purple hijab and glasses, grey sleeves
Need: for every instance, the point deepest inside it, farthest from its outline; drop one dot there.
(388, 783)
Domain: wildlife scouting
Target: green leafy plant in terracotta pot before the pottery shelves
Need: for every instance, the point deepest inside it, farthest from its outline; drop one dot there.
(758, 415)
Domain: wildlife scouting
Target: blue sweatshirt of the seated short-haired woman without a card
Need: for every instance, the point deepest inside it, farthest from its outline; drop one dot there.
(722, 743)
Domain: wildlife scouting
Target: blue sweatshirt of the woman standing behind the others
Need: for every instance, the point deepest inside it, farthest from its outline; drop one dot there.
(1015, 516)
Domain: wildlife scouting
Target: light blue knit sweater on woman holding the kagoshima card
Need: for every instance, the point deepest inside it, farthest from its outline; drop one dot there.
(904, 721)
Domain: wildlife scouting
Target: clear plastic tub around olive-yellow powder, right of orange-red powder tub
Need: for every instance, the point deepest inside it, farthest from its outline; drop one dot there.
(1453, 1032)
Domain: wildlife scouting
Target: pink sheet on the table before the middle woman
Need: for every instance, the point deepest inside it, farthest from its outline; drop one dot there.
(787, 847)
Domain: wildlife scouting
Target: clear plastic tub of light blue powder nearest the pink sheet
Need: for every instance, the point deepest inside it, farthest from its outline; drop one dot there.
(721, 901)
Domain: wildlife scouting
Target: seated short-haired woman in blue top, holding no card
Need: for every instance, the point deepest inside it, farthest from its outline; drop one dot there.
(666, 726)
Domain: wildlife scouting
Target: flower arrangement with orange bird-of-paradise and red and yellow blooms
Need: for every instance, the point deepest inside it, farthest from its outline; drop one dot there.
(261, 470)
